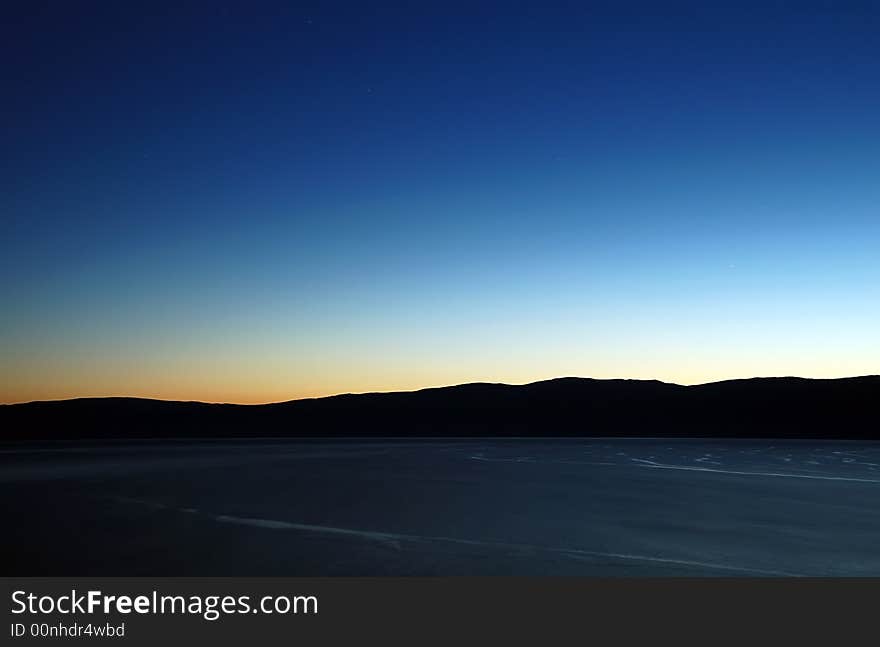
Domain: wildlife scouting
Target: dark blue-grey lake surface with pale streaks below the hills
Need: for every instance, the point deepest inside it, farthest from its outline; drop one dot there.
(474, 507)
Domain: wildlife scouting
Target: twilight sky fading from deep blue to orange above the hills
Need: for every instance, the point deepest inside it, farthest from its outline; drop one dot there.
(254, 202)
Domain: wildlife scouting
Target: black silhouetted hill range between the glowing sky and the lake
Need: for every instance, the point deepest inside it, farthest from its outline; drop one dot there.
(846, 408)
